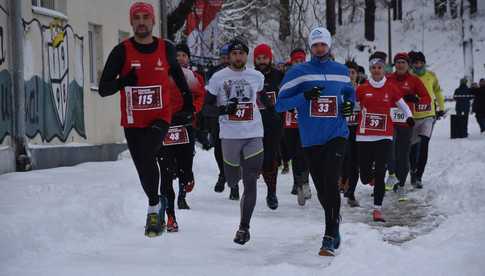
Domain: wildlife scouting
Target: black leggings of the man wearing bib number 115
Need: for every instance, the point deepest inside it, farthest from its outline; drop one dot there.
(143, 144)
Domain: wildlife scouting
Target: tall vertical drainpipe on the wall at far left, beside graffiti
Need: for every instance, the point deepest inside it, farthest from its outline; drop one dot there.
(22, 155)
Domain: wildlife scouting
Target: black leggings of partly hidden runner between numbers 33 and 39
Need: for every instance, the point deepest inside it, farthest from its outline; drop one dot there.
(350, 170)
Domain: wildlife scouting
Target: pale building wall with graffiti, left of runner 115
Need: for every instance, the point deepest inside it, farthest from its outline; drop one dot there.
(63, 108)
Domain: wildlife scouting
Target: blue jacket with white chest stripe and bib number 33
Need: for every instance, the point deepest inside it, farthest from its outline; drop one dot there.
(324, 121)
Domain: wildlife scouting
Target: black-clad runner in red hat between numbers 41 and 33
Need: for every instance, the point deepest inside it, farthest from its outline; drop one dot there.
(271, 120)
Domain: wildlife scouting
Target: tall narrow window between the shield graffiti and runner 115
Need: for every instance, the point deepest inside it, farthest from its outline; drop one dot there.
(95, 54)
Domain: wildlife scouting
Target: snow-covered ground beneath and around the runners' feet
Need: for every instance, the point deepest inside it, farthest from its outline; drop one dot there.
(88, 220)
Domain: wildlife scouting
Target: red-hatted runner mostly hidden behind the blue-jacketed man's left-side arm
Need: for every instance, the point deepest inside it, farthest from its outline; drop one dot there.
(294, 150)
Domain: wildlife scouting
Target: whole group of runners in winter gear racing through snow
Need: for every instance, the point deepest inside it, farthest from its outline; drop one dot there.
(322, 116)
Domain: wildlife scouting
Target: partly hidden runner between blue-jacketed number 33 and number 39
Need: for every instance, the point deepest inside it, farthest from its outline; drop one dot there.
(350, 171)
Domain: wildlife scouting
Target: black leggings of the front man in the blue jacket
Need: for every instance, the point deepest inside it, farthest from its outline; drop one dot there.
(325, 167)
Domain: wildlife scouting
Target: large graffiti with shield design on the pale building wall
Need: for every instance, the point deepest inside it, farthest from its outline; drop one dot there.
(54, 78)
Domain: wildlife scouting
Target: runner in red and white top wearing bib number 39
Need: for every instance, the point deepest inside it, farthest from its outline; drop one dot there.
(374, 134)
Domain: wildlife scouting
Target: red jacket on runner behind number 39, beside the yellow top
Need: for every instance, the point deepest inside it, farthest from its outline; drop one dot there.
(411, 85)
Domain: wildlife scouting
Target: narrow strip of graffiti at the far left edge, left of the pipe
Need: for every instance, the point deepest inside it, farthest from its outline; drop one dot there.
(6, 103)
